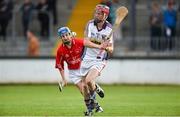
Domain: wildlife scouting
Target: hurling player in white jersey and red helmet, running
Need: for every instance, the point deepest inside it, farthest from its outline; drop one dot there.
(94, 60)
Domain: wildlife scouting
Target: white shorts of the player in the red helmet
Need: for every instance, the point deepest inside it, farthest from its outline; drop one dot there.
(87, 65)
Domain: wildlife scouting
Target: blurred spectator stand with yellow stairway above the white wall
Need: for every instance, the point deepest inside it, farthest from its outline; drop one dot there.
(142, 33)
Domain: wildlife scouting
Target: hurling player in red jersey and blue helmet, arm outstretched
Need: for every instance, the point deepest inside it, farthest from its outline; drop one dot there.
(70, 52)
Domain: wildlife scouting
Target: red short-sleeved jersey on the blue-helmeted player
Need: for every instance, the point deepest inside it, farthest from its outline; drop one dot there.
(72, 56)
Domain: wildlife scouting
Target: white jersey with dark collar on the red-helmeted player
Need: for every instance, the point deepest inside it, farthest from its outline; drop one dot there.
(96, 36)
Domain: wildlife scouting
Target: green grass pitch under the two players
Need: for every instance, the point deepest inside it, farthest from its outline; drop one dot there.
(119, 100)
